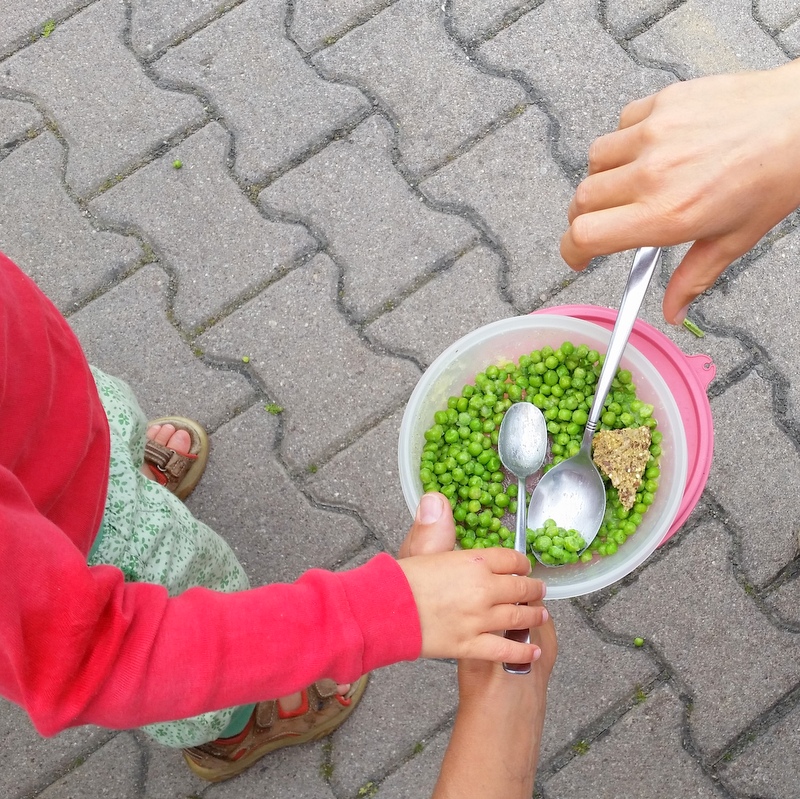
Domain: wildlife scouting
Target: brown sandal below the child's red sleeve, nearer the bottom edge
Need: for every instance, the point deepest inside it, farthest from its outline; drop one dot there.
(321, 711)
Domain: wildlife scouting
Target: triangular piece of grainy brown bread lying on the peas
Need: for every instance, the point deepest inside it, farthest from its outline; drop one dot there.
(622, 456)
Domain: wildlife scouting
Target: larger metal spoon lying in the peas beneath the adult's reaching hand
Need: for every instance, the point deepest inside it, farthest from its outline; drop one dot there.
(572, 493)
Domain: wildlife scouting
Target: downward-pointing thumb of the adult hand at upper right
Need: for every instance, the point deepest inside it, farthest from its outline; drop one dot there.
(701, 266)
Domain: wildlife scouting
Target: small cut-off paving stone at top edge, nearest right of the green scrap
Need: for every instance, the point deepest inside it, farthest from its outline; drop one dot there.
(157, 23)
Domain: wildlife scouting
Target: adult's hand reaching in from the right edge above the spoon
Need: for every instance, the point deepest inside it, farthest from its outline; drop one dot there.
(714, 161)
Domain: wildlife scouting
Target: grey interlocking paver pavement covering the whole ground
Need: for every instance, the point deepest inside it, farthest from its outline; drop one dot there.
(361, 182)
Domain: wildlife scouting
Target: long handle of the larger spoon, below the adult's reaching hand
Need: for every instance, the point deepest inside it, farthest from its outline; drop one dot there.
(644, 264)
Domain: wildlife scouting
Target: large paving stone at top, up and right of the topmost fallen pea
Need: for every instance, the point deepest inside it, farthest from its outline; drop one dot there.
(274, 103)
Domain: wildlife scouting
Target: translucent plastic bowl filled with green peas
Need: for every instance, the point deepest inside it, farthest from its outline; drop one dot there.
(448, 439)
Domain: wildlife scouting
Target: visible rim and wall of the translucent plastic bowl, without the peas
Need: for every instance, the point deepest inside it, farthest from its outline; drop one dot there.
(504, 341)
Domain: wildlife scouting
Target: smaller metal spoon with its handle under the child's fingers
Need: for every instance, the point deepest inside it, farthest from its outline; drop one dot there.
(522, 445)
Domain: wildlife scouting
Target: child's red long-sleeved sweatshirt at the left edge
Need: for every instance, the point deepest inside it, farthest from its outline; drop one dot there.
(79, 645)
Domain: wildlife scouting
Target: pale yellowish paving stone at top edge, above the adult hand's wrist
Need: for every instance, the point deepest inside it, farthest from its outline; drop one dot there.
(704, 42)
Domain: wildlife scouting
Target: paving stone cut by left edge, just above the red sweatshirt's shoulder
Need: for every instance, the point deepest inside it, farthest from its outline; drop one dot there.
(49, 237)
